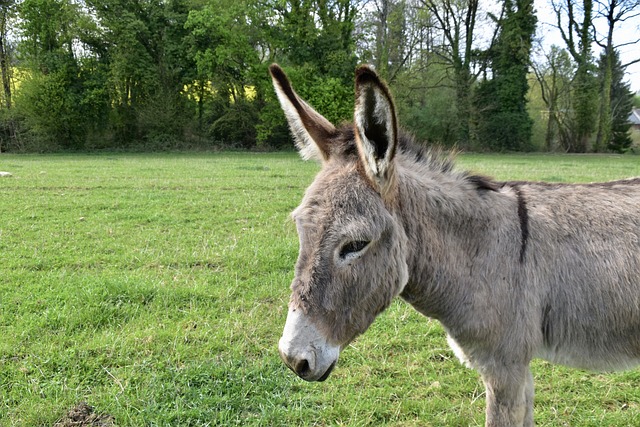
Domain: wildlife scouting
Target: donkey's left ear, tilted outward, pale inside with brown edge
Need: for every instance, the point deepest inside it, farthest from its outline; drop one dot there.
(311, 131)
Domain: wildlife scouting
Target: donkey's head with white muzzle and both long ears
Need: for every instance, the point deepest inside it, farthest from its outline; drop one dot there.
(352, 246)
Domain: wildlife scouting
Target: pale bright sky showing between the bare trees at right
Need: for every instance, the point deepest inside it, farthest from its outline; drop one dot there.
(628, 31)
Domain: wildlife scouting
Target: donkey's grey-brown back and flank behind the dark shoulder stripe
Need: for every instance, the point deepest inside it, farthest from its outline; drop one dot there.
(584, 252)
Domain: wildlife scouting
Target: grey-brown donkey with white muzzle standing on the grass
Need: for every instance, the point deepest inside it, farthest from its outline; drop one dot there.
(512, 270)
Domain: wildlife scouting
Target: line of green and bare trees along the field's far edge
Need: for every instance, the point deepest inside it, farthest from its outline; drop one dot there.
(153, 74)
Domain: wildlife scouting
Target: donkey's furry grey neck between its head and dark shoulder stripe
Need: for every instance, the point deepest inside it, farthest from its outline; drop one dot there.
(458, 231)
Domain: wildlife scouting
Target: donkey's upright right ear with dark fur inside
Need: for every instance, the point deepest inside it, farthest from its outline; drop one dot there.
(376, 127)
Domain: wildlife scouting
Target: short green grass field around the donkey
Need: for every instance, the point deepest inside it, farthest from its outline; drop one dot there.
(154, 288)
